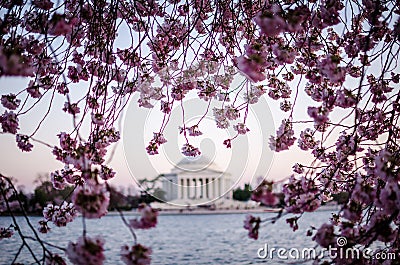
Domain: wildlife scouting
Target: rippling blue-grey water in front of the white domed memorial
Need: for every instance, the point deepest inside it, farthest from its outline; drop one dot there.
(182, 239)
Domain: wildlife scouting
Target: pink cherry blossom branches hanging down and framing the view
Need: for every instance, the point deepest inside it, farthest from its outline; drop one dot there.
(342, 55)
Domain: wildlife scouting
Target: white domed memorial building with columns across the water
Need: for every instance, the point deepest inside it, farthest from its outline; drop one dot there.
(196, 180)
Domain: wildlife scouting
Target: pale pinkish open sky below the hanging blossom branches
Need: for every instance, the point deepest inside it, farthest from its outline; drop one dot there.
(249, 157)
